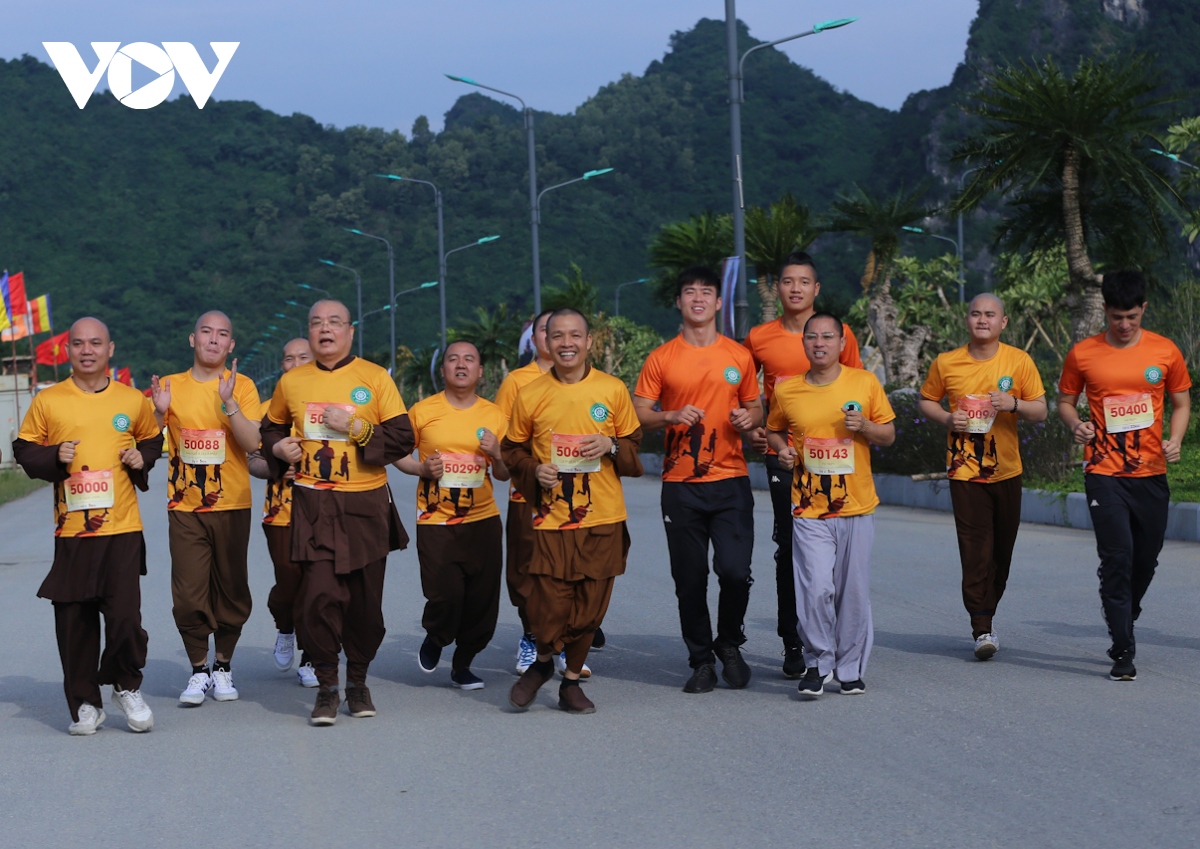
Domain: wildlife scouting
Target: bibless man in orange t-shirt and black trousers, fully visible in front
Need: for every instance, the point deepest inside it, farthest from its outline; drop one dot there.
(705, 389)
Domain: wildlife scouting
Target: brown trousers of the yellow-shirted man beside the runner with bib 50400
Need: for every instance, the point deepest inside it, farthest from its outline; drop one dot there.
(987, 517)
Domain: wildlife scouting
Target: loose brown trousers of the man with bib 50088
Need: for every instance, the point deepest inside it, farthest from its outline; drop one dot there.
(209, 582)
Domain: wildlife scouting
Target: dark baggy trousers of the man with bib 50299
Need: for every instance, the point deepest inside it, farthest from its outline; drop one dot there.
(461, 581)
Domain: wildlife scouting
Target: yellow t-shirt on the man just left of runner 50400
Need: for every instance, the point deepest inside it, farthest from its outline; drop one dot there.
(991, 453)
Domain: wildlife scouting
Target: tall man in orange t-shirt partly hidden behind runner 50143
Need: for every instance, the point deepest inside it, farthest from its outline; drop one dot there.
(778, 350)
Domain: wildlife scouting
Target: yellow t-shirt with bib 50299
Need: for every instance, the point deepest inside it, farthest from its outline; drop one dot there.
(465, 492)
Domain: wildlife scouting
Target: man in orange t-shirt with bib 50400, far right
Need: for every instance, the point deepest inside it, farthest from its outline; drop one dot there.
(1127, 372)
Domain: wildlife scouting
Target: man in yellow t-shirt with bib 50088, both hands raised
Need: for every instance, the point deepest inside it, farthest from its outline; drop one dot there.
(212, 418)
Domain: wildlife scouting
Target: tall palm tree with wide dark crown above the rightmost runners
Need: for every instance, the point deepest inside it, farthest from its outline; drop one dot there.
(1069, 153)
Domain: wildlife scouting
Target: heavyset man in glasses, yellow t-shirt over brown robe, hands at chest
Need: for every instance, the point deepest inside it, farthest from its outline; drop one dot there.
(340, 422)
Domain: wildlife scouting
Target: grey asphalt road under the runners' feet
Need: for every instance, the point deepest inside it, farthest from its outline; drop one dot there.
(1034, 749)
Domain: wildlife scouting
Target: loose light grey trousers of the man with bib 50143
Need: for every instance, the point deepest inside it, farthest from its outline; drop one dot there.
(832, 565)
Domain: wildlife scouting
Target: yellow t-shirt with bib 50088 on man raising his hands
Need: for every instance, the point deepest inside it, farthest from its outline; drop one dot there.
(208, 467)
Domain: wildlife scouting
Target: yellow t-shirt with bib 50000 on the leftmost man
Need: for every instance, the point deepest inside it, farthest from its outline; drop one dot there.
(99, 499)
